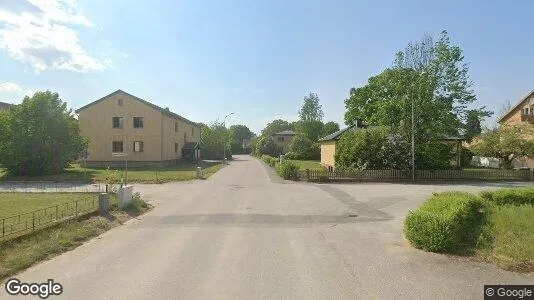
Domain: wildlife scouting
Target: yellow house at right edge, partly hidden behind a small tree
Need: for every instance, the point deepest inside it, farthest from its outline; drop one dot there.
(521, 113)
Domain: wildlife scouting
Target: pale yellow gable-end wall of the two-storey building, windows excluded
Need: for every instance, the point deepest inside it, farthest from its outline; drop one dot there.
(96, 124)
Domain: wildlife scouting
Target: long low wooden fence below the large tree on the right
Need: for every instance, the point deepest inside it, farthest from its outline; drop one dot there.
(420, 175)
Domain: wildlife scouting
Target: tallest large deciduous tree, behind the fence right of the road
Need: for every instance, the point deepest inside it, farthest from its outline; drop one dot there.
(429, 76)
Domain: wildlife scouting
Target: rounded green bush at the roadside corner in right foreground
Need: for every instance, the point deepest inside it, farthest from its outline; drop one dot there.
(446, 222)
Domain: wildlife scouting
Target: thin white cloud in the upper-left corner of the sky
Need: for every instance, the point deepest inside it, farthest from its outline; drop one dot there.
(42, 33)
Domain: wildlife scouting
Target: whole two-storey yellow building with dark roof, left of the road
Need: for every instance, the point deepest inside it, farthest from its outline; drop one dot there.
(122, 127)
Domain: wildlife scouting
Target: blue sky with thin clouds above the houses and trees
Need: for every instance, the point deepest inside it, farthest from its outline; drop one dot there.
(257, 59)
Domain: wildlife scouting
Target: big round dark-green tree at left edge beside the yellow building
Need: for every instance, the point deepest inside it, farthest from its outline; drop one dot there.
(41, 136)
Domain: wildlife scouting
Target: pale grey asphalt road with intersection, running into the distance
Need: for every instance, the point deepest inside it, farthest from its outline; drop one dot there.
(245, 234)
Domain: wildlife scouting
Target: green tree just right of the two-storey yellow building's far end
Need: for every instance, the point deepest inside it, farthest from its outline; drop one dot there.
(215, 141)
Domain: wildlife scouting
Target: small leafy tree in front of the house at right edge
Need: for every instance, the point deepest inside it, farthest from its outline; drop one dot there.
(506, 142)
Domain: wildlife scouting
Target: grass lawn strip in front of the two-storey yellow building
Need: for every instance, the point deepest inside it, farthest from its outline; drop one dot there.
(135, 175)
